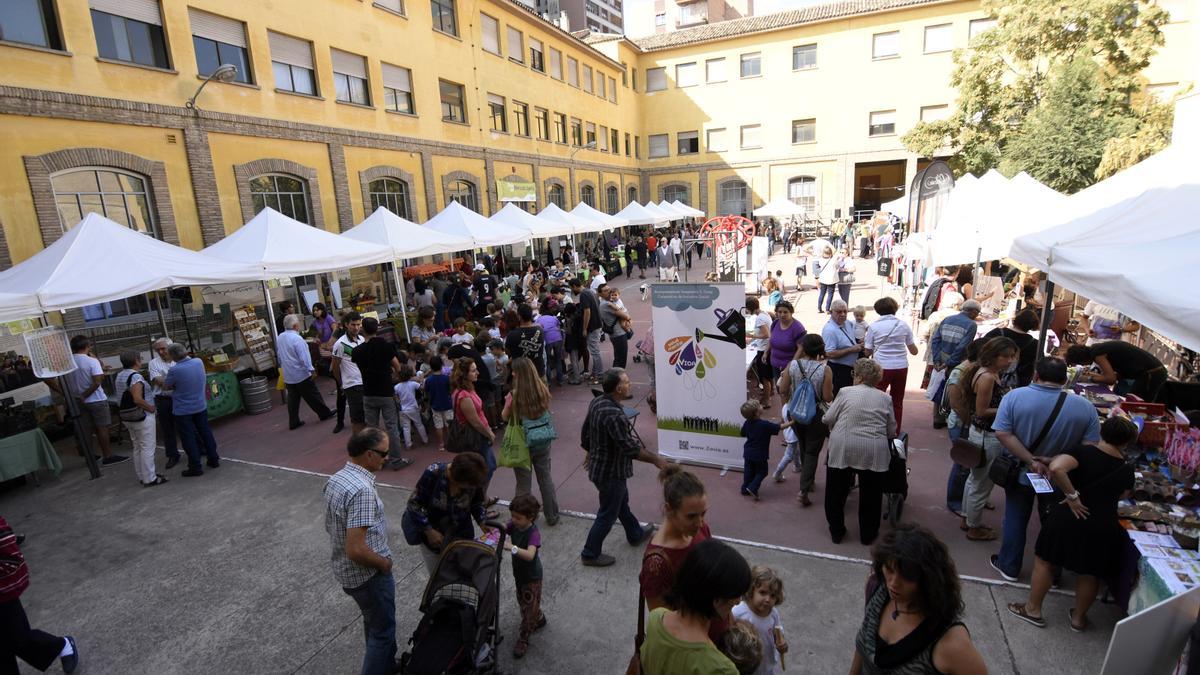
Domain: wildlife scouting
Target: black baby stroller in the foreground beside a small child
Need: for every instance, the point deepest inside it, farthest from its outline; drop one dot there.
(461, 612)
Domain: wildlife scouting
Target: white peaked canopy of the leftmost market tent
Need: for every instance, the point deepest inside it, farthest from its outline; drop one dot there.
(100, 261)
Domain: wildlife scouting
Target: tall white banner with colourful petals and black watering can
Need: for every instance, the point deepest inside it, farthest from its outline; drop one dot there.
(700, 372)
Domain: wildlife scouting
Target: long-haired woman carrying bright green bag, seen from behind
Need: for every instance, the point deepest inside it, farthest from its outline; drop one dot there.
(527, 409)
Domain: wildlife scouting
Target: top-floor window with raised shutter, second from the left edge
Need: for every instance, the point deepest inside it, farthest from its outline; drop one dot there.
(130, 32)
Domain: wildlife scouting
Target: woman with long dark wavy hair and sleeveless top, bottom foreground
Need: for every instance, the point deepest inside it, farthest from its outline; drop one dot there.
(913, 623)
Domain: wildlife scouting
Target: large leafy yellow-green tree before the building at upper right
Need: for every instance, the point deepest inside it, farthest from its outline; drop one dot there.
(1011, 73)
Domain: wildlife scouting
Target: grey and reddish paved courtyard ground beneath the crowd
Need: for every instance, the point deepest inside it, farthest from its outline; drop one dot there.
(229, 574)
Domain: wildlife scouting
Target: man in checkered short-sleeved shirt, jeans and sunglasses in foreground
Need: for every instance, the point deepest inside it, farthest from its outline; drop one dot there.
(362, 559)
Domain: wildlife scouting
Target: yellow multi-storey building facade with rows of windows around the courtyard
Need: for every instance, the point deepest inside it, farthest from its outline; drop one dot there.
(340, 106)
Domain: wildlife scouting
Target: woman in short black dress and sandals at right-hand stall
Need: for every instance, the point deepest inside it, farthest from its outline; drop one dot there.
(1082, 533)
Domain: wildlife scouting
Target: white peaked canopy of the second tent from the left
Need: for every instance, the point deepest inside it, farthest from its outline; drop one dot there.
(283, 247)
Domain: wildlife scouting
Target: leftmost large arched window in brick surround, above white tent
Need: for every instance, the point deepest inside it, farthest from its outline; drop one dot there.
(117, 195)
